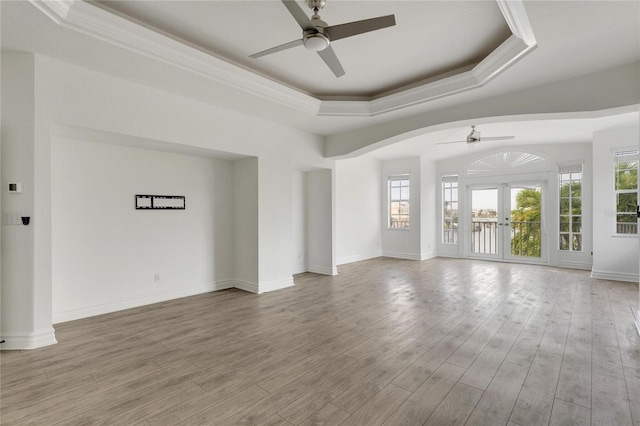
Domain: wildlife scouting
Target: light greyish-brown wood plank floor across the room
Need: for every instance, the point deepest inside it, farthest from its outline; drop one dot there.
(391, 342)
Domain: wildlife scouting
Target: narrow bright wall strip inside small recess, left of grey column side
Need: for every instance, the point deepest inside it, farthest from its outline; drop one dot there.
(299, 221)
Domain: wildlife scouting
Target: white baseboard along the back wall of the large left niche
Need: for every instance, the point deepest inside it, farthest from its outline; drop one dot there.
(149, 299)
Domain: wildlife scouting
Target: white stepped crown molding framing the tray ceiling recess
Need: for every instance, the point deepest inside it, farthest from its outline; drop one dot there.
(88, 19)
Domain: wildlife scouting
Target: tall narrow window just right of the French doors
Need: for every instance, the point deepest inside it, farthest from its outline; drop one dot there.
(570, 192)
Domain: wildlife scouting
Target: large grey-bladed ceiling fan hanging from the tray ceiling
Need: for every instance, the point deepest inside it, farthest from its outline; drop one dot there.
(317, 35)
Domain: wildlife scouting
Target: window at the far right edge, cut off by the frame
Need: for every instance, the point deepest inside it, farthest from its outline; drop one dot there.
(626, 190)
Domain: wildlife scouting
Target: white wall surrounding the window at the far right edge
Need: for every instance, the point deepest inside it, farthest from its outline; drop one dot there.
(614, 257)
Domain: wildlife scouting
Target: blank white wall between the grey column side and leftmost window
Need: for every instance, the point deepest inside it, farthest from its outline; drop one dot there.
(358, 201)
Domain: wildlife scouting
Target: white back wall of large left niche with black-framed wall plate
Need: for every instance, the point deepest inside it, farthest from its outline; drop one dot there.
(106, 253)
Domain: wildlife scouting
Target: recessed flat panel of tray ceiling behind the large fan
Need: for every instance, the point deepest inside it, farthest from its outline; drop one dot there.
(430, 38)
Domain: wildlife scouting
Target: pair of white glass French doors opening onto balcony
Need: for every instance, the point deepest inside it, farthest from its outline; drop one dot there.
(505, 222)
